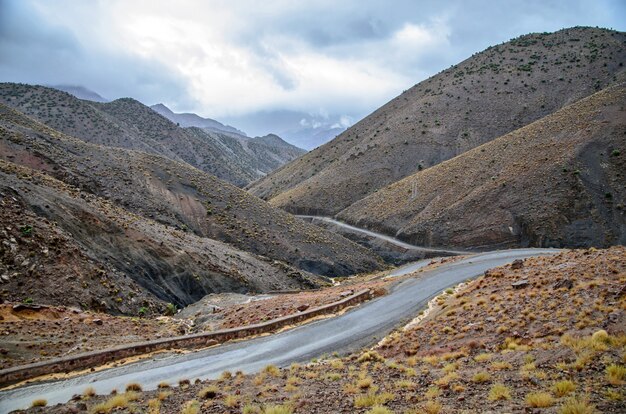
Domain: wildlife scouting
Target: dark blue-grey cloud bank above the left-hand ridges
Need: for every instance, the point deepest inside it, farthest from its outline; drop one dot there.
(33, 50)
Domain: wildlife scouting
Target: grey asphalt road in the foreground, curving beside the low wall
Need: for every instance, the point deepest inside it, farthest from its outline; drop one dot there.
(349, 332)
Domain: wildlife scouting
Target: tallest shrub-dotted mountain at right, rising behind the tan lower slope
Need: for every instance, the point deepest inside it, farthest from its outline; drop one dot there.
(486, 96)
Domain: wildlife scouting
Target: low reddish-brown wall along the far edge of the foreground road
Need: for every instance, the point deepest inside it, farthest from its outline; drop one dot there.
(96, 358)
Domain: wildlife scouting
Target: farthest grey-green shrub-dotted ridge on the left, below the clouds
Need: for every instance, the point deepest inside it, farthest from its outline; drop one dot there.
(127, 123)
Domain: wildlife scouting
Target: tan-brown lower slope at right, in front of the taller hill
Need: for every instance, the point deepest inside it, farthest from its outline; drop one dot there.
(559, 181)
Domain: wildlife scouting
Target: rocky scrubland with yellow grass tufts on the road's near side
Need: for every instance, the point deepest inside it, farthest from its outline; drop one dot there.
(556, 344)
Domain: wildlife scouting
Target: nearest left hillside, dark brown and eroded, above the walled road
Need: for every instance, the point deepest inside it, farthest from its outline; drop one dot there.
(69, 247)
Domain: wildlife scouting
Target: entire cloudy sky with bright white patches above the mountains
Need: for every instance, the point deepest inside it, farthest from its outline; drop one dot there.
(335, 60)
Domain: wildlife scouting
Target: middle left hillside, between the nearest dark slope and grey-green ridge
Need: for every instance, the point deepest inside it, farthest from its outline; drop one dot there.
(179, 196)
